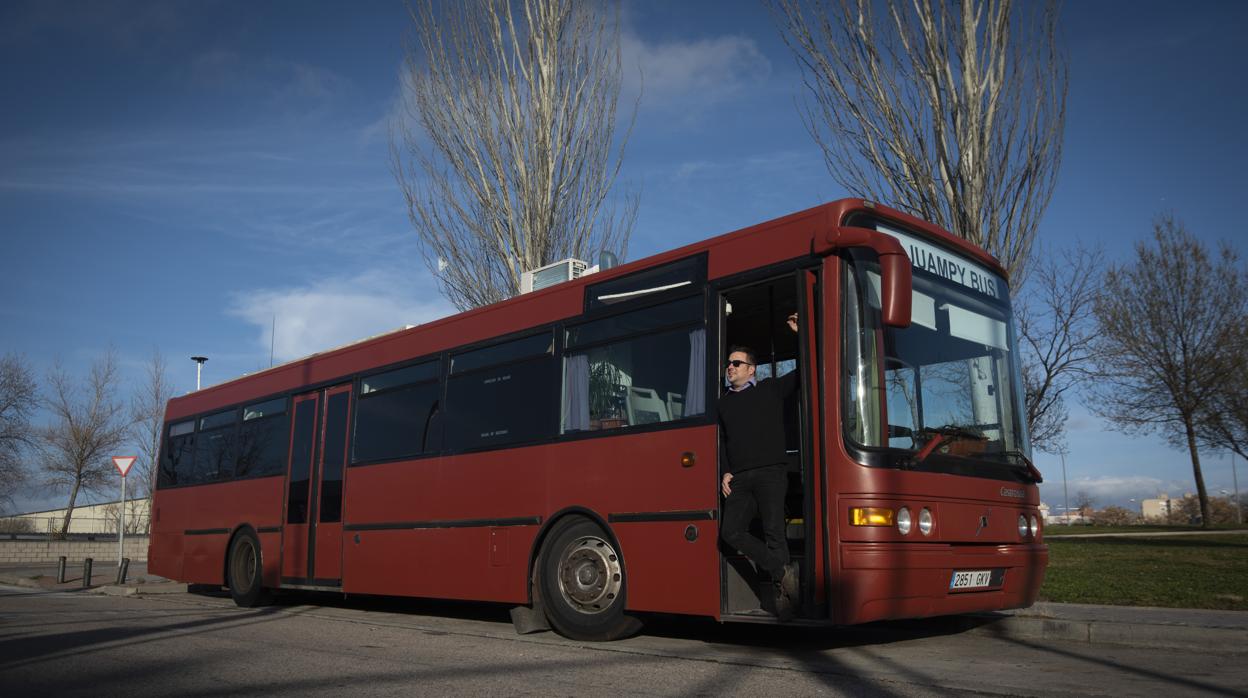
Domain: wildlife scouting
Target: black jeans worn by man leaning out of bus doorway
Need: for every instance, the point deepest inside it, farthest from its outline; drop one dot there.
(758, 493)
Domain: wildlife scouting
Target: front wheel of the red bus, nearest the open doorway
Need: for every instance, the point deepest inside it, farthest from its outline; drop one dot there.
(582, 584)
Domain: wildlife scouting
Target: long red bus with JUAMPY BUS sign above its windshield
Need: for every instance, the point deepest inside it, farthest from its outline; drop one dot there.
(560, 451)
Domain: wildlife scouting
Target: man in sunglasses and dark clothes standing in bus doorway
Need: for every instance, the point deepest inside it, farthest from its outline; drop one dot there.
(756, 479)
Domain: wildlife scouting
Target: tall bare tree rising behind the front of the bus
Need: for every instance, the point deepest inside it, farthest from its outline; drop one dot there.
(954, 112)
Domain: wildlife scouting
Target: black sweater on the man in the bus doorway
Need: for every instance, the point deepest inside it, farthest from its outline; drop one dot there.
(752, 424)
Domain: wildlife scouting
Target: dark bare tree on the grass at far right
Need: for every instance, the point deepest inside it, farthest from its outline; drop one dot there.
(1165, 323)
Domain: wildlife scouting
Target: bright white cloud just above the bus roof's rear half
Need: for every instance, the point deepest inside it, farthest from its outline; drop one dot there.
(334, 313)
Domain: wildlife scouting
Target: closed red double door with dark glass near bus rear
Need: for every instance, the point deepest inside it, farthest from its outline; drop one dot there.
(313, 536)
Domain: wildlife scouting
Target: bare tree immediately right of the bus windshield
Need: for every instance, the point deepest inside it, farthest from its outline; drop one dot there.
(1056, 329)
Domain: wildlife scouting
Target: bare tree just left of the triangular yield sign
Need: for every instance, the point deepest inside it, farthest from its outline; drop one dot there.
(88, 425)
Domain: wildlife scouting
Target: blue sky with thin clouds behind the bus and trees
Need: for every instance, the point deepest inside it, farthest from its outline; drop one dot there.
(174, 175)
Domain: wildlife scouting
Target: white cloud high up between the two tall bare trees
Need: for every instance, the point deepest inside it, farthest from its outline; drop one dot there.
(692, 74)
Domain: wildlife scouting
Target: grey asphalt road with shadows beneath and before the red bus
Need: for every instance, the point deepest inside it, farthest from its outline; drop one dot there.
(69, 644)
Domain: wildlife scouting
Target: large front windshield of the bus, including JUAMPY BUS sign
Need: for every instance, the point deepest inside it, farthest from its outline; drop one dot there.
(950, 381)
